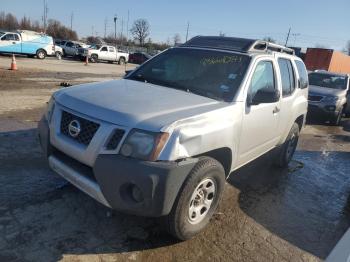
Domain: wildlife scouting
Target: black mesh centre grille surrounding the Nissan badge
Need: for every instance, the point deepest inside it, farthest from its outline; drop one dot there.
(87, 128)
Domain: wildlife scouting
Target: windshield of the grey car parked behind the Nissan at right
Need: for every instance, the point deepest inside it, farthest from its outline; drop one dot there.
(328, 80)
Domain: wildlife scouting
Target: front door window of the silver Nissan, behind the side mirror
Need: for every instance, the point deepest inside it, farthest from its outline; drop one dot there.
(263, 78)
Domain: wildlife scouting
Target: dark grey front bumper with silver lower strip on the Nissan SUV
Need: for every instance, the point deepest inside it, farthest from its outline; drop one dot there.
(112, 178)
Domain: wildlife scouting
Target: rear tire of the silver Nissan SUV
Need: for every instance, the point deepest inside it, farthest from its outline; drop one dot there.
(288, 148)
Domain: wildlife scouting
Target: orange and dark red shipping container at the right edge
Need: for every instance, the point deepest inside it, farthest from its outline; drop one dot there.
(327, 59)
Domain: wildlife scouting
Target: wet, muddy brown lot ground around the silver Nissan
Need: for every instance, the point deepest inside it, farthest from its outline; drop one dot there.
(267, 214)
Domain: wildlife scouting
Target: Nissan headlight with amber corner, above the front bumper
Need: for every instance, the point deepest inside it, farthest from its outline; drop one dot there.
(144, 145)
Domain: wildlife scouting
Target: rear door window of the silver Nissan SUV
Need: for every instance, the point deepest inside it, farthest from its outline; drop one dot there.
(287, 76)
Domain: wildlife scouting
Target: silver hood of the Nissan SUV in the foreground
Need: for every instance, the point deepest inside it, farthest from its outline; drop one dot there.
(134, 104)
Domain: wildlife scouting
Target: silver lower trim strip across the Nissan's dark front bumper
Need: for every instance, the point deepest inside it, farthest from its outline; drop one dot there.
(85, 184)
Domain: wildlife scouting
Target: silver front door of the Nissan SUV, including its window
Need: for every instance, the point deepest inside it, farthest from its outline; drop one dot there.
(260, 121)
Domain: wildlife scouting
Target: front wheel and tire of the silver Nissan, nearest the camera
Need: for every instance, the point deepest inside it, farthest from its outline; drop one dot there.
(206, 181)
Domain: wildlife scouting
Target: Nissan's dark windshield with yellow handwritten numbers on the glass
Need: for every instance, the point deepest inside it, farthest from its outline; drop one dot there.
(213, 74)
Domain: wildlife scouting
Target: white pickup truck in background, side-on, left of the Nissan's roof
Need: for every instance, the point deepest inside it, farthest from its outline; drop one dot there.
(104, 53)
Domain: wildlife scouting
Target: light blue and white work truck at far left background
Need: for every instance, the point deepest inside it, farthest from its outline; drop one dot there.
(26, 42)
